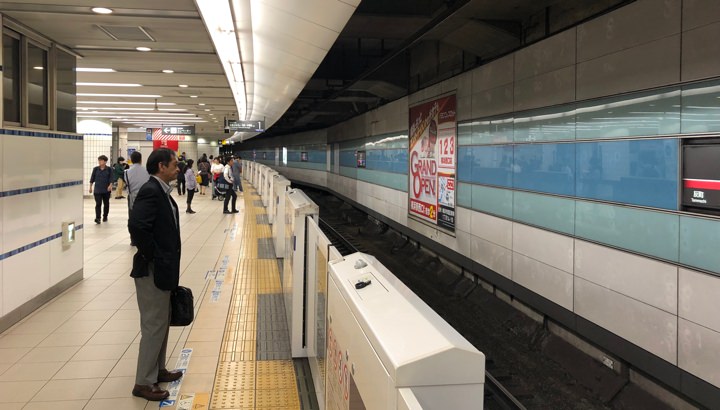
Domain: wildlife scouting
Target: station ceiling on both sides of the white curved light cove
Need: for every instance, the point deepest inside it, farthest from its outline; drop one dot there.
(388, 49)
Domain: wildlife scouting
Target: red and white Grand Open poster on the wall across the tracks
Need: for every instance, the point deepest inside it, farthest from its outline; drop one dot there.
(433, 165)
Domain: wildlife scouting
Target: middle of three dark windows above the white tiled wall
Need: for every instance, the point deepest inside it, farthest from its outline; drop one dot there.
(37, 91)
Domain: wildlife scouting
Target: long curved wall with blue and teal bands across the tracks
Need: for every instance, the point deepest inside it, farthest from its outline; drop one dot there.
(599, 235)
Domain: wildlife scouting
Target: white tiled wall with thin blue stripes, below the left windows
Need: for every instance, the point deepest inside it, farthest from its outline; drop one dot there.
(42, 187)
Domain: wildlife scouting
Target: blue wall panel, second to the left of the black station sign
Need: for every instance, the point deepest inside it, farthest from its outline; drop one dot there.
(545, 168)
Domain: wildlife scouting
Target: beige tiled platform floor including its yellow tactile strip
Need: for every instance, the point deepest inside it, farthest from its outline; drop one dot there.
(79, 350)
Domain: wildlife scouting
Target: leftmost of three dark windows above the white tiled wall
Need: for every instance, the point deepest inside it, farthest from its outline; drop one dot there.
(11, 77)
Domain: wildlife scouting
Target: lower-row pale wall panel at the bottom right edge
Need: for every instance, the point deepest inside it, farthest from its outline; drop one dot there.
(699, 351)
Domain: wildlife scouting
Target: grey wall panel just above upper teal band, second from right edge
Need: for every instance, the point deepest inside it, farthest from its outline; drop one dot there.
(645, 66)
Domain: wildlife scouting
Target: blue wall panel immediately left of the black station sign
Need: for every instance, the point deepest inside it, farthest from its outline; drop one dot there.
(638, 172)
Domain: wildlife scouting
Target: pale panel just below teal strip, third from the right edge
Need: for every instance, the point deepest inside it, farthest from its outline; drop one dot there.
(547, 247)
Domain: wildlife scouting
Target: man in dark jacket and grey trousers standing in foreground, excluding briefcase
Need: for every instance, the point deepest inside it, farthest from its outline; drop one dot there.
(155, 230)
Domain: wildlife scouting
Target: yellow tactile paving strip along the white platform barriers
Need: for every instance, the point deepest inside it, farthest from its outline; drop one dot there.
(241, 381)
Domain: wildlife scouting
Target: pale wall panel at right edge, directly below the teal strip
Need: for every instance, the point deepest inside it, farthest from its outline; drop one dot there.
(699, 298)
